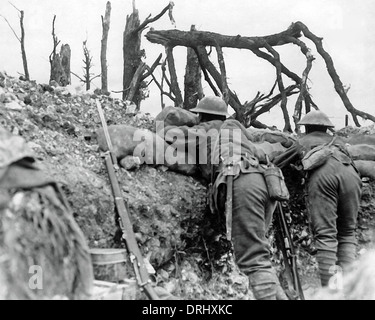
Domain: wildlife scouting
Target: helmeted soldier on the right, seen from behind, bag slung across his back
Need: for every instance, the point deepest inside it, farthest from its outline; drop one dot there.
(333, 189)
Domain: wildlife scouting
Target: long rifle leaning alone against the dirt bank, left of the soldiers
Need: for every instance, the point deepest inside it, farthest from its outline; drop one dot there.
(128, 236)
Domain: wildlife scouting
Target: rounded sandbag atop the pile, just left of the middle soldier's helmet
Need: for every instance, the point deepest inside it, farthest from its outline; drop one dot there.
(173, 116)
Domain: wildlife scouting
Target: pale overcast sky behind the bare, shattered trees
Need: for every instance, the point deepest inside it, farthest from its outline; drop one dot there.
(346, 26)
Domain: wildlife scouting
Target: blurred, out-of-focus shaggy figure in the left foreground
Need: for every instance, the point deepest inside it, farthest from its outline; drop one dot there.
(43, 252)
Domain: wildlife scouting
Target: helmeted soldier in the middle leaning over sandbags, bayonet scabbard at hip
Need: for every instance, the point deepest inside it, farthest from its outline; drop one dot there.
(252, 206)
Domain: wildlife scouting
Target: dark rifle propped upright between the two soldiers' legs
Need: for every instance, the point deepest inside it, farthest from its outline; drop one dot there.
(284, 241)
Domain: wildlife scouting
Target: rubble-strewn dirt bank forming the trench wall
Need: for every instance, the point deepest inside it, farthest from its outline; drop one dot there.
(182, 241)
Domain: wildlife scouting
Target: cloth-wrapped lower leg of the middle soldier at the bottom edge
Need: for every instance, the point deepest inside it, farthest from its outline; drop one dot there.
(263, 285)
